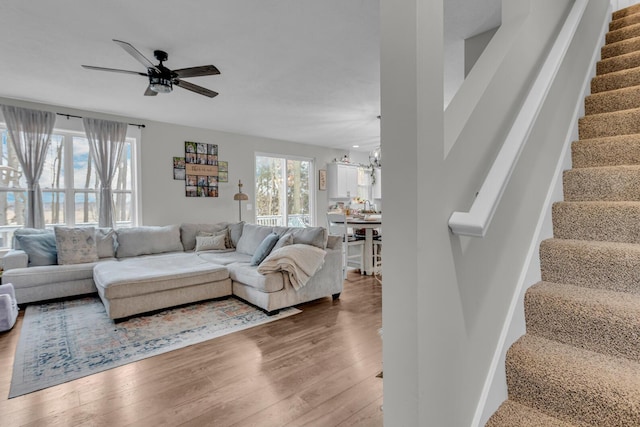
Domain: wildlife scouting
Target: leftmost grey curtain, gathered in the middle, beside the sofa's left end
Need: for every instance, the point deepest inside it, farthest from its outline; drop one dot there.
(30, 131)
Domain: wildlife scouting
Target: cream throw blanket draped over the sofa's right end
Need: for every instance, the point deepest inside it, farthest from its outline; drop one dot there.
(298, 260)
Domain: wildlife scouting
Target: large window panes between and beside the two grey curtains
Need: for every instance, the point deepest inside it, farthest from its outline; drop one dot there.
(69, 183)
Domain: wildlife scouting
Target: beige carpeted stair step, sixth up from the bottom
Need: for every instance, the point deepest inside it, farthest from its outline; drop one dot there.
(614, 183)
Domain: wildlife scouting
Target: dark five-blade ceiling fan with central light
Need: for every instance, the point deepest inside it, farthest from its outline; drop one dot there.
(162, 79)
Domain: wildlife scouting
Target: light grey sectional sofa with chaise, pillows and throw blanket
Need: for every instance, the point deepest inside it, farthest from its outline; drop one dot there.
(142, 269)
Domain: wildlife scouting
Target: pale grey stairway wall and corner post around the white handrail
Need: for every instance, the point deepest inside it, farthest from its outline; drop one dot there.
(446, 298)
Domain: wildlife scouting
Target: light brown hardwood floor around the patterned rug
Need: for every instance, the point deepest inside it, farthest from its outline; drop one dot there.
(317, 368)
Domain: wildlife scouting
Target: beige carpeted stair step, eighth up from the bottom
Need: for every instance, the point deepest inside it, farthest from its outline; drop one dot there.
(626, 122)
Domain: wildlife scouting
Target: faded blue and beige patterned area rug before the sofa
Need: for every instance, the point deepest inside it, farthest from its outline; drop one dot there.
(66, 340)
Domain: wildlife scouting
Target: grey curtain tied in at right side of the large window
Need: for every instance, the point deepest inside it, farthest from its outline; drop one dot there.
(106, 141)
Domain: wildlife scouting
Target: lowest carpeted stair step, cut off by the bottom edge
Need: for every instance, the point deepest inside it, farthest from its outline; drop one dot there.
(512, 414)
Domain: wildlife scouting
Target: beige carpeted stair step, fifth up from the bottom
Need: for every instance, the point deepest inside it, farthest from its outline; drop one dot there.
(604, 221)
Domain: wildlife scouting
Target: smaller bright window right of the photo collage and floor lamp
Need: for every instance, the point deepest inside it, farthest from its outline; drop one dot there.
(284, 193)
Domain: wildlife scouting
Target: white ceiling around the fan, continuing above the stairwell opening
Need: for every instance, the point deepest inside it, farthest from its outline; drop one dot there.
(298, 70)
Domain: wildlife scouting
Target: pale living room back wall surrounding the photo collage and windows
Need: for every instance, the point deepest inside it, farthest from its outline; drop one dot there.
(163, 198)
